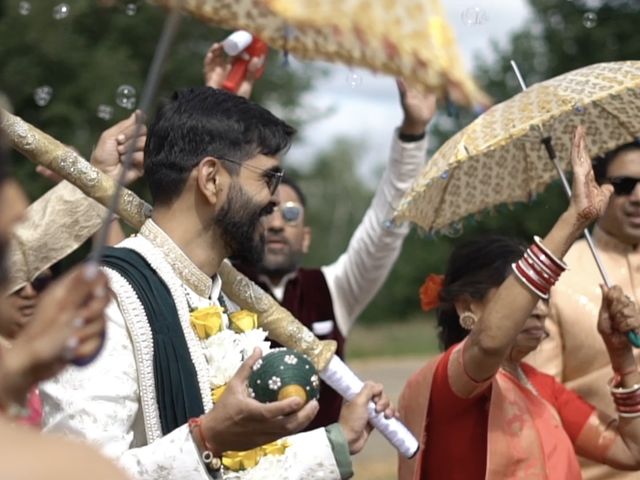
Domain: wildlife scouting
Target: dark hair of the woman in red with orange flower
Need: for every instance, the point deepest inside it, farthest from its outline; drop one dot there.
(474, 268)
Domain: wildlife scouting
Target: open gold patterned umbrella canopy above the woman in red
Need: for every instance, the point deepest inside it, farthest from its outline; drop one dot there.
(499, 158)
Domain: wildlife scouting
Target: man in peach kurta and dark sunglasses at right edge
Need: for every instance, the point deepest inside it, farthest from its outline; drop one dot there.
(574, 352)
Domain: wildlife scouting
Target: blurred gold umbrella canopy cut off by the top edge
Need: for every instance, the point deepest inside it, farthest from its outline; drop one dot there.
(405, 38)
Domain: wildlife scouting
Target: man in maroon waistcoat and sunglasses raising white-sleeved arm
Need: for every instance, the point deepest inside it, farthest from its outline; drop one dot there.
(329, 299)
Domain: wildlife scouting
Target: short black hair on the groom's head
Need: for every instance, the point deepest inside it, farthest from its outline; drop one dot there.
(203, 121)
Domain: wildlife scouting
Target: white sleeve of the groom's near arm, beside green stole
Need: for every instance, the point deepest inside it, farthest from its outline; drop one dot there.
(100, 403)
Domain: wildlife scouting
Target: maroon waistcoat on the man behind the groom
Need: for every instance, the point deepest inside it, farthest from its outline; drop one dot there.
(307, 297)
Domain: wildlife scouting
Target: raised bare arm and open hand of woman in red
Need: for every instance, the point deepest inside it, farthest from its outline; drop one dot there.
(505, 314)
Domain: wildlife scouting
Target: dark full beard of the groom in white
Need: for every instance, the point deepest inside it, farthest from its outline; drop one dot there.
(240, 226)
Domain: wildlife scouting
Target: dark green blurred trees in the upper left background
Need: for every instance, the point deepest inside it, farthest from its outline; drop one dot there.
(86, 56)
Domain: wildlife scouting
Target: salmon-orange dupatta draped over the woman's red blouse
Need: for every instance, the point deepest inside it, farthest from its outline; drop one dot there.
(518, 420)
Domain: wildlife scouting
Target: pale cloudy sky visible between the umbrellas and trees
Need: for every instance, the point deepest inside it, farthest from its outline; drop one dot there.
(370, 110)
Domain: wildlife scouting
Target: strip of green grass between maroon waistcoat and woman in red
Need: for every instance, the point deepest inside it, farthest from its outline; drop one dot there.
(415, 337)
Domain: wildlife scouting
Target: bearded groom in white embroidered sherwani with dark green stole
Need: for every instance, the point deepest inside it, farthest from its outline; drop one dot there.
(212, 166)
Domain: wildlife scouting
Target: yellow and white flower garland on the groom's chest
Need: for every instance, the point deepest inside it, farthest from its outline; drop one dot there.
(226, 345)
